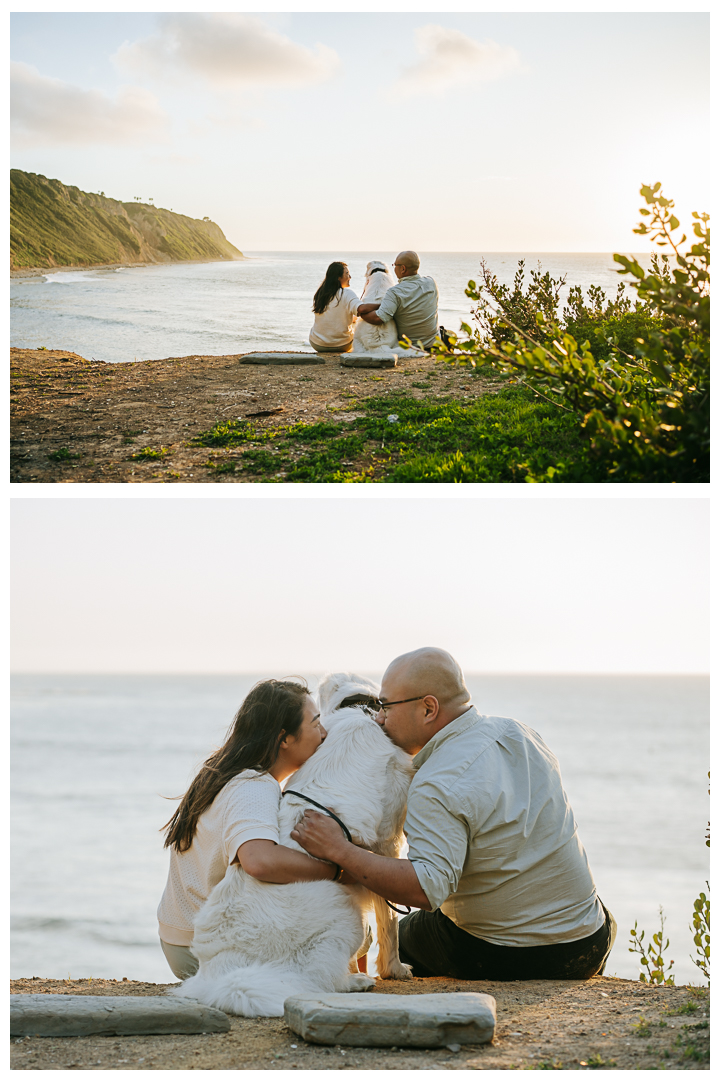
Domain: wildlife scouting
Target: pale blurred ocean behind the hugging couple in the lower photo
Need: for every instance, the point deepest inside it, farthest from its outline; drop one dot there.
(96, 760)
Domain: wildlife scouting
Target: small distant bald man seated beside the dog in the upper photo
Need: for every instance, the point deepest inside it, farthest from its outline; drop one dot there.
(413, 303)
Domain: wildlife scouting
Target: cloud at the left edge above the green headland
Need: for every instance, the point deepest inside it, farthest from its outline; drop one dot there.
(49, 111)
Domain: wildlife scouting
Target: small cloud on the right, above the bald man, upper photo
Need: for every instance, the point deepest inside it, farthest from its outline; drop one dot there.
(451, 59)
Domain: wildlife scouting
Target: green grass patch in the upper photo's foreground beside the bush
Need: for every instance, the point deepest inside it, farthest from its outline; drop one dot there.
(511, 437)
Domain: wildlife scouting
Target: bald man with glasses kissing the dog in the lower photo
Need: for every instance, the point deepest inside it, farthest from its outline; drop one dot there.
(495, 863)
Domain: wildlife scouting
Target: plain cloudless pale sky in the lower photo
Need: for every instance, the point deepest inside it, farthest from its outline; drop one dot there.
(298, 587)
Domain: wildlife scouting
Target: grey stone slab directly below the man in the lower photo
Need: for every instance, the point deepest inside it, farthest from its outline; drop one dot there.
(392, 1020)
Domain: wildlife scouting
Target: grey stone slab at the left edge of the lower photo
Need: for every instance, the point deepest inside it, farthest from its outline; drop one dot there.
(72, 1015)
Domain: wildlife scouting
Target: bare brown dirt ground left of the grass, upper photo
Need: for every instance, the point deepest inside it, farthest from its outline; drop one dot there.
(99, 415)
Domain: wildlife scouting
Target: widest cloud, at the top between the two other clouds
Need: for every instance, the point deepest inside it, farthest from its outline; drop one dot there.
(229, 51)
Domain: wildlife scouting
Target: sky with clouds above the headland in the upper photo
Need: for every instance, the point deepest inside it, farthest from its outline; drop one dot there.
(477, 132)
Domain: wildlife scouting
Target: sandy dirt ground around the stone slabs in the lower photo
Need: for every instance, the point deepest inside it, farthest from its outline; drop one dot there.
(605, 1023)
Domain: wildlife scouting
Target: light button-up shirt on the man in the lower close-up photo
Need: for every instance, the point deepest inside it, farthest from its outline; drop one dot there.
(493, 838)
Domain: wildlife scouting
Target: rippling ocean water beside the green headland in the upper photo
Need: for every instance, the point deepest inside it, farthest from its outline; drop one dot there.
(262, 303)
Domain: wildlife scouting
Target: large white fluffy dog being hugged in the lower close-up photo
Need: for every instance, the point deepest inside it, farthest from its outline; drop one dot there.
(259, 943)
